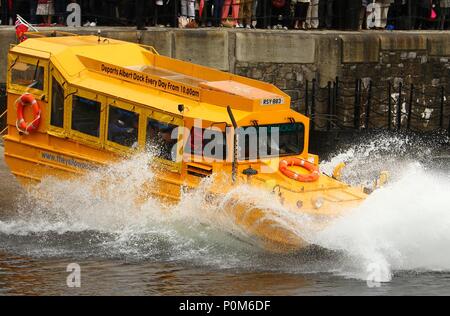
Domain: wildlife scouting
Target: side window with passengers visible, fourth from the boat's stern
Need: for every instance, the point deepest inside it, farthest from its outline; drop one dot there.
(162, 139)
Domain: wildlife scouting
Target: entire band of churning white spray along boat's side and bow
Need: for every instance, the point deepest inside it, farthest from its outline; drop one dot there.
(403, 226)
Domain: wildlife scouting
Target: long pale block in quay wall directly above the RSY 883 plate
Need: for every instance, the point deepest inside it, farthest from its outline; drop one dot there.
(275, 47)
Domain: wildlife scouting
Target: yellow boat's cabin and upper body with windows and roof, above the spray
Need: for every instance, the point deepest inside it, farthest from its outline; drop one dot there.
(102, 98)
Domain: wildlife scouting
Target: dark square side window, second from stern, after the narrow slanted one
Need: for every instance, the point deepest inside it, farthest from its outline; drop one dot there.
(86, 116)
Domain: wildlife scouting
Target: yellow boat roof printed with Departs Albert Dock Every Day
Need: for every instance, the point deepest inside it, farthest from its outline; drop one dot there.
(139, 74)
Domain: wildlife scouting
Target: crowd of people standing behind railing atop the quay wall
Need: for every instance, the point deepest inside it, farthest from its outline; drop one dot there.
(276, 14)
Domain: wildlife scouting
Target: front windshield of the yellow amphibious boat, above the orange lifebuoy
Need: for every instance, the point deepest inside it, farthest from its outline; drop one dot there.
(273, 140)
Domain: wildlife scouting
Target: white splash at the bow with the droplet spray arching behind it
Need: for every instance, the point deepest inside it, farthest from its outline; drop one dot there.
(403, 226)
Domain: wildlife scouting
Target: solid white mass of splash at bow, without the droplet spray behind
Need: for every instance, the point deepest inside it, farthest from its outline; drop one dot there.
(403, 226)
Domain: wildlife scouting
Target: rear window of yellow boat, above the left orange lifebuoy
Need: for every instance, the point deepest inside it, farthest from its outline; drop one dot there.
(27, 75)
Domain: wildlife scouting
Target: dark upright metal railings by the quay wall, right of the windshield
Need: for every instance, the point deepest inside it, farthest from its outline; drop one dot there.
(363, 105)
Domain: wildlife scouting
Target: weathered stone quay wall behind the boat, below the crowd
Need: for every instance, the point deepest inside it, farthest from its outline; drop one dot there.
(290, 58)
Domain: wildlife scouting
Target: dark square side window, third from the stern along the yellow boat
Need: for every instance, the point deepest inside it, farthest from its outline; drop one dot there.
(123, 127)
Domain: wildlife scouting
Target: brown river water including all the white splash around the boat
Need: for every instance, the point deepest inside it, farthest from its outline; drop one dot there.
(399, 239)
